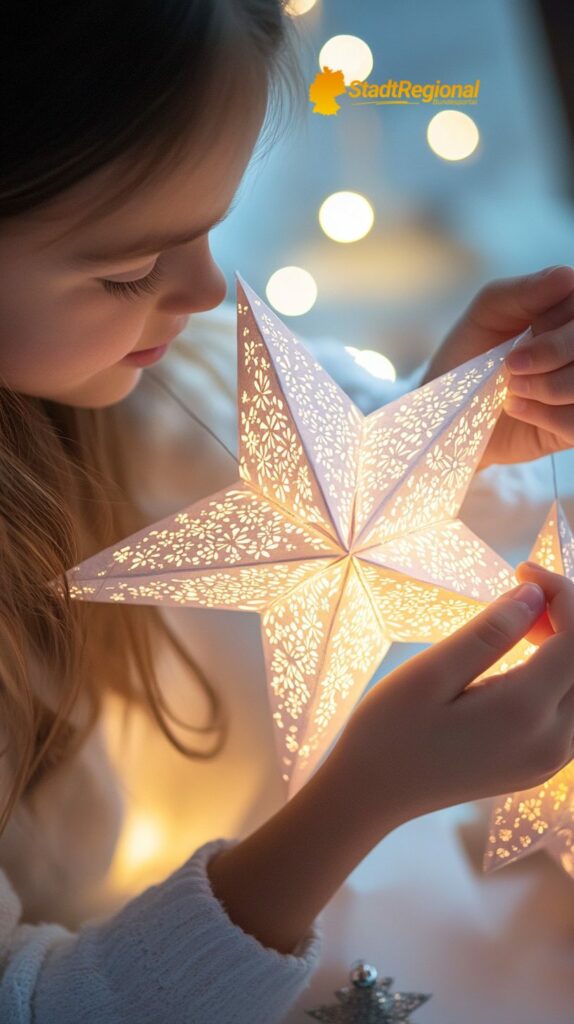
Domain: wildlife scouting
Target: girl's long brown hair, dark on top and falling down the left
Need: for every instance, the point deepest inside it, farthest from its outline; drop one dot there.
(84, 84)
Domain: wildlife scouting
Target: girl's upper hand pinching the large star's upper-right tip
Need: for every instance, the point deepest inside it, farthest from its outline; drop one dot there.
(539, 414)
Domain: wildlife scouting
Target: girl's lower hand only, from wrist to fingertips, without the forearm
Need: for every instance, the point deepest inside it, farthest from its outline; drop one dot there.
(422, 740)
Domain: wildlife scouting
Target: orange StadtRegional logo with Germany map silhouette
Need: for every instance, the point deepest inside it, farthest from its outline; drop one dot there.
(330, 83)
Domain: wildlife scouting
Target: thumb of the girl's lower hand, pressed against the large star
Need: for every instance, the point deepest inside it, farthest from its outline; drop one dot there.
(456, 662)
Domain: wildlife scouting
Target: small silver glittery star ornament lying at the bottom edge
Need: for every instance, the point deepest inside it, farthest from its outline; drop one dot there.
(370, 1002)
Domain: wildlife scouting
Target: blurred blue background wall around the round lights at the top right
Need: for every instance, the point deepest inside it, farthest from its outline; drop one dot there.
(443, 228)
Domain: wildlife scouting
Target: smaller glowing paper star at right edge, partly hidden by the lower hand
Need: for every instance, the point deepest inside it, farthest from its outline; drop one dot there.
(542, 818)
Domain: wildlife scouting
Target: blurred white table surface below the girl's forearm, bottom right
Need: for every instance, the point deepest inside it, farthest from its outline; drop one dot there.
(493, 950)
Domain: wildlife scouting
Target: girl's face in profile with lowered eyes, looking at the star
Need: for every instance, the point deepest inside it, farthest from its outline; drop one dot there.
(64, 332)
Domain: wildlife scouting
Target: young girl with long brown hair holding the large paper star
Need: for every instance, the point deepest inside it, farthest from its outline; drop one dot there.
(127, 130)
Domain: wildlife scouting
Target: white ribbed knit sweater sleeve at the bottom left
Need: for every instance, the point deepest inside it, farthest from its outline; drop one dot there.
(170, 955)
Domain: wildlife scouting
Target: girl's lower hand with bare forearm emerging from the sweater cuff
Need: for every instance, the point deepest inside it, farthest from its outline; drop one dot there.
(421, 740)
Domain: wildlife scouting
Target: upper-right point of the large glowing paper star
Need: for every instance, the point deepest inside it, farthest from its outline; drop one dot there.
(441, 437)
